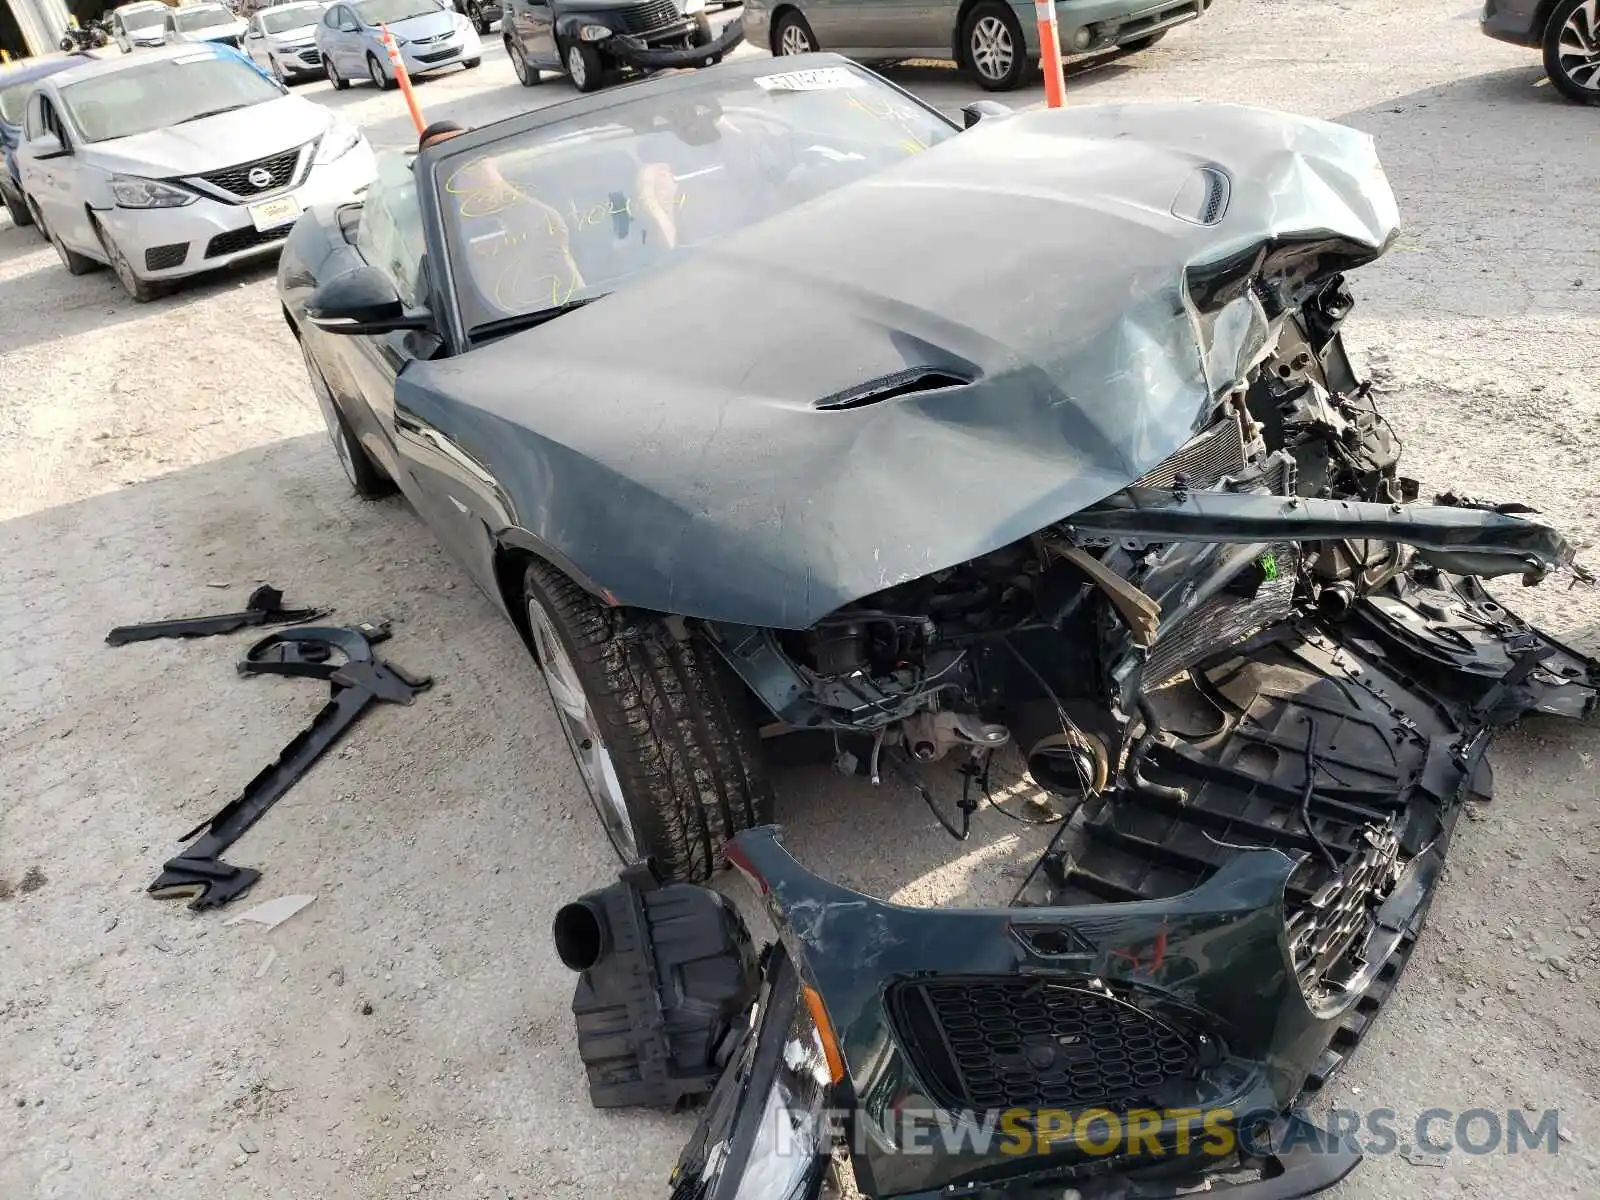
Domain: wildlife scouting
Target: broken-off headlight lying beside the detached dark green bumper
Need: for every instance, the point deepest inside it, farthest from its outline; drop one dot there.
(783, 1079)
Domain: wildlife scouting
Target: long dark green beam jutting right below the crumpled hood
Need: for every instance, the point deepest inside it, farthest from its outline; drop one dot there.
(1465, 542)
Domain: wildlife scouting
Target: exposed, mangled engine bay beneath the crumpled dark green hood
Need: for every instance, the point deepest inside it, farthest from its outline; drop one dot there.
(1265, 644)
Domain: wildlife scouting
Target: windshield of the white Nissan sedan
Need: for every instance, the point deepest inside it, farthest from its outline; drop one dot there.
(164, 92)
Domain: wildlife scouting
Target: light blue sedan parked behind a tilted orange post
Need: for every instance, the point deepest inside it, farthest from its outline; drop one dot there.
(430, 34)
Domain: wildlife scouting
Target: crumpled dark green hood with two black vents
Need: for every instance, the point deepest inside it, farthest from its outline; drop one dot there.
(1058, 262)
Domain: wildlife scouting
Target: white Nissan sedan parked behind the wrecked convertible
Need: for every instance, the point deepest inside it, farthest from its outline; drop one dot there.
(177, 162)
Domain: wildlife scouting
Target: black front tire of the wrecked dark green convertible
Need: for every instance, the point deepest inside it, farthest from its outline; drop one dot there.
(678, 729)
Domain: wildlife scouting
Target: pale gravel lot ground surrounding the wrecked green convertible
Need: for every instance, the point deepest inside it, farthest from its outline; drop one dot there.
(409, 1034)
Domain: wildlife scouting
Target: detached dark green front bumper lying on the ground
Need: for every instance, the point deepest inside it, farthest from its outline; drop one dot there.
(1164, 1018)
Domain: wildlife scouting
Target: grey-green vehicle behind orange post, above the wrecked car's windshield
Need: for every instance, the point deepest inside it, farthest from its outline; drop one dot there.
(996, 41)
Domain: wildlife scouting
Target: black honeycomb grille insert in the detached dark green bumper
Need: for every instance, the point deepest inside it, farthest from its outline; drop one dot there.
(1010, 1042)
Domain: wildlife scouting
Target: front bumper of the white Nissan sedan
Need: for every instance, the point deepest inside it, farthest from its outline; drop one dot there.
(207, 234)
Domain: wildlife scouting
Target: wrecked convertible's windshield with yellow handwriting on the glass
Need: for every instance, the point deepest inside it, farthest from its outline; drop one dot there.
(551, 215)
